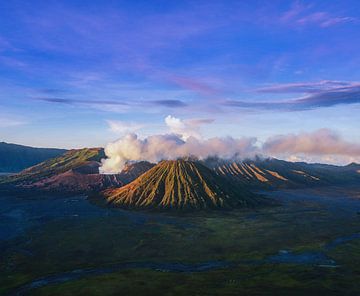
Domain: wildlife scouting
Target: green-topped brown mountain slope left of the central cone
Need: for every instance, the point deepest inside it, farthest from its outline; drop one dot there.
(76, 171)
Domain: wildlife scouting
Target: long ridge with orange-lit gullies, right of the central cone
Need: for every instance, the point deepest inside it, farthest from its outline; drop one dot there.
(279, 173)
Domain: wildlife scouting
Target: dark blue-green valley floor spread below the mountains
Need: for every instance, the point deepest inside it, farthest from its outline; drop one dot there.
(61, 245)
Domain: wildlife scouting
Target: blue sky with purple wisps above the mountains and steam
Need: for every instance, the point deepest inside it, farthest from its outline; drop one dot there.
(82, 73)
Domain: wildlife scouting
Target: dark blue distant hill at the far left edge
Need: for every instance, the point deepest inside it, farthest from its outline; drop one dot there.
(14, 158)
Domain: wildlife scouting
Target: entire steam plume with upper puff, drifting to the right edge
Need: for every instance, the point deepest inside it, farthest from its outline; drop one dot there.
(185, 140)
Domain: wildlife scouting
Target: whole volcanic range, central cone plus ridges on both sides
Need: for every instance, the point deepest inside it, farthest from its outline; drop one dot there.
(179, 184)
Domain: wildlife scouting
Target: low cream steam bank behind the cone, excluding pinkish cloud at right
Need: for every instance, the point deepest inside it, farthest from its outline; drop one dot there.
(160, 147)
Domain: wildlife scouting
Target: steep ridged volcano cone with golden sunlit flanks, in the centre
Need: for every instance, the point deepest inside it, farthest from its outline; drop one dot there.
(181, 184)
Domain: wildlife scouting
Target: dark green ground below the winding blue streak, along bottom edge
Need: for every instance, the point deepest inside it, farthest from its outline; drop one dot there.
(244, 280)
